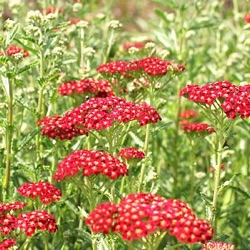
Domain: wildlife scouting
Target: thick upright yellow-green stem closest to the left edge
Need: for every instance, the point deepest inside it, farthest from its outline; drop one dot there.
(9, 137)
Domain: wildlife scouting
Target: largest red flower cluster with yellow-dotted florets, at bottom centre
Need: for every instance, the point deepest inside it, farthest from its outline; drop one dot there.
(141, 214)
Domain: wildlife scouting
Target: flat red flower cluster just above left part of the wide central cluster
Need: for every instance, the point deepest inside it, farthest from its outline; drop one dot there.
(100, 88)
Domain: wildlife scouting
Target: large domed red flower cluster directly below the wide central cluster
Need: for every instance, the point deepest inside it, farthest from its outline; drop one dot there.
(90, 162)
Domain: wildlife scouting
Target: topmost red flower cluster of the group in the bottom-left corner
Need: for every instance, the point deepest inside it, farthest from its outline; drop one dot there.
(46, 191)
